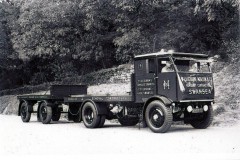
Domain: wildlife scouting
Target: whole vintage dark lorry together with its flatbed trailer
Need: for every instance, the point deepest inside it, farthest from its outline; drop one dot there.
(165, 87)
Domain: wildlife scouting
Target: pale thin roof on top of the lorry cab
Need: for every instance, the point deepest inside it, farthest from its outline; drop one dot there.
(172, 54)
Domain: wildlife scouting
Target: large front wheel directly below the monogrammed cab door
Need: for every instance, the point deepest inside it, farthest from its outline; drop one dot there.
(158, 117)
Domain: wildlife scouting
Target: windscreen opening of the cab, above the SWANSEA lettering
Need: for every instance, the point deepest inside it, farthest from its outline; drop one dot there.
(192, 66)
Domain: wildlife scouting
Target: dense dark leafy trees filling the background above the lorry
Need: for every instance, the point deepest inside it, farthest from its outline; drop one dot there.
(49, 40)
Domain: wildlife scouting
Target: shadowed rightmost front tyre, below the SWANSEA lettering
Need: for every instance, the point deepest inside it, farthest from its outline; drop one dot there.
(205, 121)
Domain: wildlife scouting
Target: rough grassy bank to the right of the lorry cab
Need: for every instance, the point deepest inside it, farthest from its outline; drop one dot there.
(227, 95)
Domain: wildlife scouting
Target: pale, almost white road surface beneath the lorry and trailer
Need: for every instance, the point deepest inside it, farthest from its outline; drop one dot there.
(68, 138)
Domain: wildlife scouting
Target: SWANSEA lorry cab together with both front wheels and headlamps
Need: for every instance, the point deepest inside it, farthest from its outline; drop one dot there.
(174, 86)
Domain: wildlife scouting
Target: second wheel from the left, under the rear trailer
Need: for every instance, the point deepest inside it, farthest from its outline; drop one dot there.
(45, 113)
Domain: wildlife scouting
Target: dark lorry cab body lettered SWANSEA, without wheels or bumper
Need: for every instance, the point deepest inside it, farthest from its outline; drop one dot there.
(180, 77)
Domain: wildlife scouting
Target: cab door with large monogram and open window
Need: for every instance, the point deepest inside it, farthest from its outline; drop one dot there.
(167, 79)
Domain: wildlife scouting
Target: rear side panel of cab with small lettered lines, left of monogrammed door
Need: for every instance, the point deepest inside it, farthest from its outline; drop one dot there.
(145, 79)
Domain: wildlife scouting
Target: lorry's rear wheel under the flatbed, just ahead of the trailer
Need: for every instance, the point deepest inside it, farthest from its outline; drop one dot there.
(89, 115)
